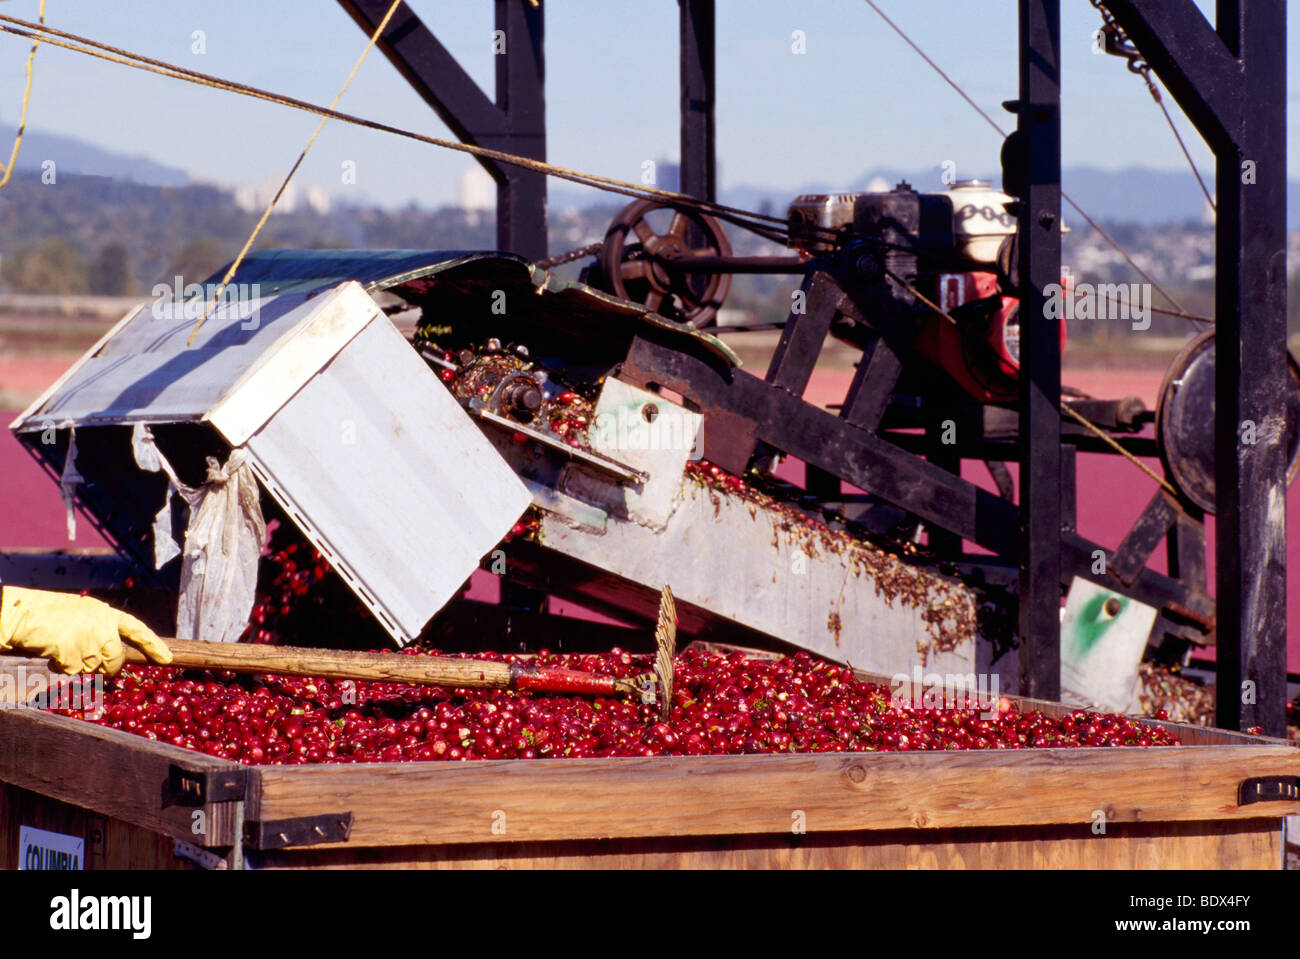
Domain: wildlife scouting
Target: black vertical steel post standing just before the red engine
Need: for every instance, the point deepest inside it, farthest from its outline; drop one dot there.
(1039, 129)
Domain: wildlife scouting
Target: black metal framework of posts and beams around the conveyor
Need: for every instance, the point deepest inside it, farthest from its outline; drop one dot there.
(1232, 84)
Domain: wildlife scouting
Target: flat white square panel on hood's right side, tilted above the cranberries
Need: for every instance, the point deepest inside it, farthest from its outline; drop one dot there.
(389, 478)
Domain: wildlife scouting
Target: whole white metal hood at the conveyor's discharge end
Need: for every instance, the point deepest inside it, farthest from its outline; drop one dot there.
(345, 426)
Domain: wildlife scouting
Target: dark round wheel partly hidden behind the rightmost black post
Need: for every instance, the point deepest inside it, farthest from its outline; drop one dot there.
(1185, 422)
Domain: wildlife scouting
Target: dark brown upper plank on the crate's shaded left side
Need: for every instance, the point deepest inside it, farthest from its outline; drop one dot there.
(112, 773)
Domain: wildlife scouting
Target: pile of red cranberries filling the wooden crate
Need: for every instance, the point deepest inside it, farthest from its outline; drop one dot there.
(723, 705)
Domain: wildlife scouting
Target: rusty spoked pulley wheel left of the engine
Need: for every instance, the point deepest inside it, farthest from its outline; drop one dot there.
(640, 248)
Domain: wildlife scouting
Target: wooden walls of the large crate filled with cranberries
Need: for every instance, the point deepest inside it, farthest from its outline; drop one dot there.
(1215, 801)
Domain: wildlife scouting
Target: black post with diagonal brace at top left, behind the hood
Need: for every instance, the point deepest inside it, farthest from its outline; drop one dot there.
(515, 123)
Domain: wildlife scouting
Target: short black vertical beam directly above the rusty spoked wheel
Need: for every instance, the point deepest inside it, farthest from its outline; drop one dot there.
(699, 149)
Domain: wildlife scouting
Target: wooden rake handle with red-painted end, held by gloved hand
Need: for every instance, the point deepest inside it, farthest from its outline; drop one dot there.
(375, 667)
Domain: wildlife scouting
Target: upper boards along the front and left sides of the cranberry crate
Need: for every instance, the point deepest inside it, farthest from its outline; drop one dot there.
(122, 775)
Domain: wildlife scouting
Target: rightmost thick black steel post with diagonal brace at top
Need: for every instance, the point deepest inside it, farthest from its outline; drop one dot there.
(1232, 84)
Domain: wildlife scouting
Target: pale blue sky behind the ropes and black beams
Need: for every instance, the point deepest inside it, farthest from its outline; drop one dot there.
(857, 99)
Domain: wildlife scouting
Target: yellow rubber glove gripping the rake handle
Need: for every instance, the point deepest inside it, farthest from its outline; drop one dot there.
(79, 635)
